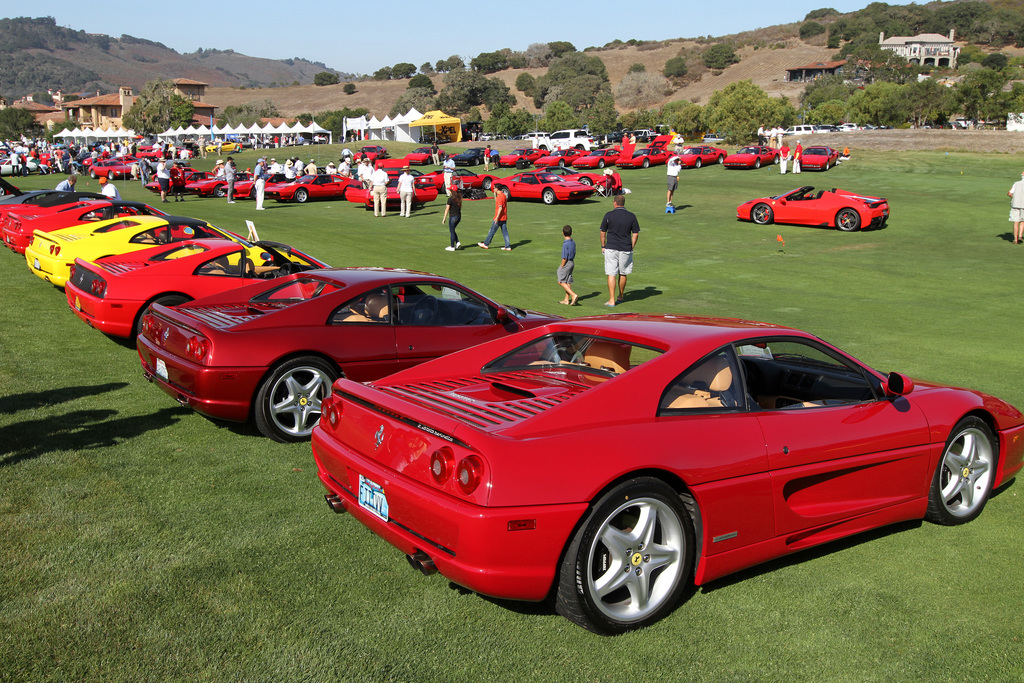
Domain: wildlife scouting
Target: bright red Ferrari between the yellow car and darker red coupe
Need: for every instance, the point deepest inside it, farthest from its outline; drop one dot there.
(112, 293)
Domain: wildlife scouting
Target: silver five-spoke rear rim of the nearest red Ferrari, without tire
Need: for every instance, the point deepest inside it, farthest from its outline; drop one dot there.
(635, 561)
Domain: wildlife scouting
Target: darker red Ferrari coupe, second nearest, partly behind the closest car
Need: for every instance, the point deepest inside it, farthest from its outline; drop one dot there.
(272, 351)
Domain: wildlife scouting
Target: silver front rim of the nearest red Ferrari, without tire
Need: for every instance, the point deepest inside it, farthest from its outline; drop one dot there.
(966, 473)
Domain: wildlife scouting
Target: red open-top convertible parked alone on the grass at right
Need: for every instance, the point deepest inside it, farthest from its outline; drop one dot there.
(847, 211)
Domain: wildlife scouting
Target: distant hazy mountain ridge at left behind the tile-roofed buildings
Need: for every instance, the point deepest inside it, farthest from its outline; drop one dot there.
(36, 55)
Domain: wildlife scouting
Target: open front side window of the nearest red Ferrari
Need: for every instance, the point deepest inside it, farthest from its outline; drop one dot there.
(793, 374)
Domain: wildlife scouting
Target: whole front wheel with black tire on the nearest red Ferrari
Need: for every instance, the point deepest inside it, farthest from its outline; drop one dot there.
(964, 478)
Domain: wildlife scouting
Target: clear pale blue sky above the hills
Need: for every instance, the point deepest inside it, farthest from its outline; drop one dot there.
(360, 38)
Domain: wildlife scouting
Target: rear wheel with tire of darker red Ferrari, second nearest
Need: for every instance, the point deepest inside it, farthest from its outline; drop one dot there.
(288, 403)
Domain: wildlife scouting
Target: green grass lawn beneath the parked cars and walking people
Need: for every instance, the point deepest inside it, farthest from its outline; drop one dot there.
(140, 541)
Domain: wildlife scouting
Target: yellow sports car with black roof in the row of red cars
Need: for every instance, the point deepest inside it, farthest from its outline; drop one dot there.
(52, 254)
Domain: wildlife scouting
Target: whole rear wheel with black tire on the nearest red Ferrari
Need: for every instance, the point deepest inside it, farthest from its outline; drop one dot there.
(610, 545)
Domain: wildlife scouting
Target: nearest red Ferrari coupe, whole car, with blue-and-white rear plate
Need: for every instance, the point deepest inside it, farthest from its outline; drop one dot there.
(615, 462)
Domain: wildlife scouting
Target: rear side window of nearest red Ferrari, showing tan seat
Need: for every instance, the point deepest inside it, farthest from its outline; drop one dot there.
(713, 383)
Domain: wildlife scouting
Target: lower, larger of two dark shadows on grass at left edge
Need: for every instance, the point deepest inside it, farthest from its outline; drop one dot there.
(79, 431)
